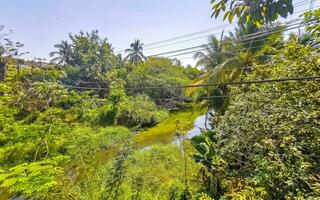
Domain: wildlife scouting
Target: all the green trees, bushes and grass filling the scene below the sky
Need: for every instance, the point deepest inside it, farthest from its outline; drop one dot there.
(91, 125)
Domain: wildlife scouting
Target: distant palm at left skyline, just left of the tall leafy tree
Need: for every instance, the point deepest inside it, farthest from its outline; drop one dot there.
(63, 53)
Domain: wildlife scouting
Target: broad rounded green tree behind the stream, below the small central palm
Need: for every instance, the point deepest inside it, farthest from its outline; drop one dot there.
(160, 77)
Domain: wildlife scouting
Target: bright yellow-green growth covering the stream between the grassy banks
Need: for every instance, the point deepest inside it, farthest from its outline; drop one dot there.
(164, 132)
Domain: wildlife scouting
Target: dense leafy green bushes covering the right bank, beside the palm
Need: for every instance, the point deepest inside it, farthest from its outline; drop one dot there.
(266, 143)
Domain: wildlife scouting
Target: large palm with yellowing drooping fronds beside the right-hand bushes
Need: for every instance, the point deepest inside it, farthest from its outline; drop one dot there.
(225, 67)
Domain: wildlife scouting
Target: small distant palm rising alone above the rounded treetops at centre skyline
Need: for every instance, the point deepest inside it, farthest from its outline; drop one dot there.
(135, 55)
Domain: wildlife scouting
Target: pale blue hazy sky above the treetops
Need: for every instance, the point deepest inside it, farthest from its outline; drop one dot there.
(40, 24)
